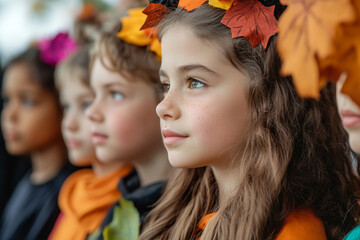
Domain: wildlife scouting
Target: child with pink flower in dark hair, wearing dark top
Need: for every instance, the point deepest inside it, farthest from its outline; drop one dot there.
(31, 124)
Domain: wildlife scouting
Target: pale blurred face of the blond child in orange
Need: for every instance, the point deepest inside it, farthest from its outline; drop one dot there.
(75, 98)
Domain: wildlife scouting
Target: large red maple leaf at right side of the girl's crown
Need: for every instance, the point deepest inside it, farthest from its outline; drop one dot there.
(252, 20)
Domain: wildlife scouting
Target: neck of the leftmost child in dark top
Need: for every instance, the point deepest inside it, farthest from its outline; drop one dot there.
(47, 162)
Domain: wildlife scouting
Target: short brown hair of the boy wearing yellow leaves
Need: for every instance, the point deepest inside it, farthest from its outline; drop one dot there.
(125, 58)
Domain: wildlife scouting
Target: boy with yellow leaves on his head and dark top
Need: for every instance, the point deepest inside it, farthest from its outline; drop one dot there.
(126, 82)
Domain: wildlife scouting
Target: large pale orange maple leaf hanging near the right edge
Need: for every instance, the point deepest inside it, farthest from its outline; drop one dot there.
(306, 33)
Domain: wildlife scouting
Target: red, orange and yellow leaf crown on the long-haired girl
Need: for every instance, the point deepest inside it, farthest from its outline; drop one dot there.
(255, 20)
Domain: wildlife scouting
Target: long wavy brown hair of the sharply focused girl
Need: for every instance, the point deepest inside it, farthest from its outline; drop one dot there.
(296, 155)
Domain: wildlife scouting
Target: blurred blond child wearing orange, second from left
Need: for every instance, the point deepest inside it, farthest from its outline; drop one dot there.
(87, 194)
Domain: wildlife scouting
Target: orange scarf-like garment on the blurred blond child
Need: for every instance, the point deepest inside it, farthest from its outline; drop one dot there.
(84, 200)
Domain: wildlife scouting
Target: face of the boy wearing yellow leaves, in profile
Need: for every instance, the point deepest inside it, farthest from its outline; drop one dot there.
(124, 124)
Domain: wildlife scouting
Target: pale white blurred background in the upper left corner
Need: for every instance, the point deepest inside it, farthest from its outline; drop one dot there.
(26, 21)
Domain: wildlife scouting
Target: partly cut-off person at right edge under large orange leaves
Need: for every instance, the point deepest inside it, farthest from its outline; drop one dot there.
(336, 57)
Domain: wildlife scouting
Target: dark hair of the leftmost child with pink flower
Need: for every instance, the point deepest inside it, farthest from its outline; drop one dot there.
(41, 72)
